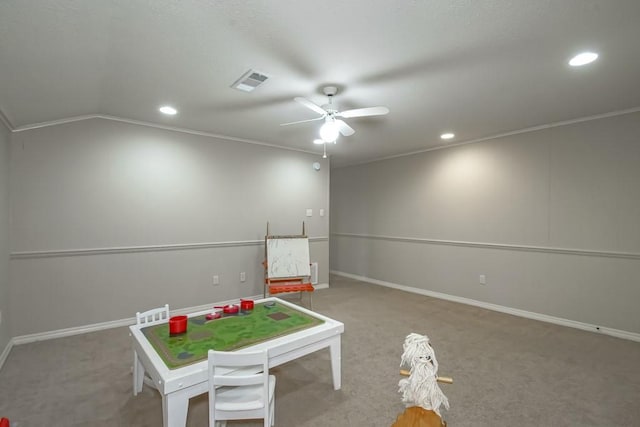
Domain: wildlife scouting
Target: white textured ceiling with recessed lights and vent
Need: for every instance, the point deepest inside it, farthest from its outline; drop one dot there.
(478, 68)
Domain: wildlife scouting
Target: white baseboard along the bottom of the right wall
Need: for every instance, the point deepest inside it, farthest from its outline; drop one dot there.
(632, 336)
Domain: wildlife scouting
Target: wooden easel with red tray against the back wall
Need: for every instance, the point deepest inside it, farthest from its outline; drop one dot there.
(286, 264)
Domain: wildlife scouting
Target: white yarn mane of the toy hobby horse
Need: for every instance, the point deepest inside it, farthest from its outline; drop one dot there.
(421, 388)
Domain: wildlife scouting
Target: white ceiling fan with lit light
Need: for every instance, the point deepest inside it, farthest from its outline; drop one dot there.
(332, 124)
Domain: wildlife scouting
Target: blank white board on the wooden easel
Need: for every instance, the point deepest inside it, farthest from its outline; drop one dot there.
(287, 257)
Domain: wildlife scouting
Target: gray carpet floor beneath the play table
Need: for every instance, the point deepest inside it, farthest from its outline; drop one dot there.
(507, 371)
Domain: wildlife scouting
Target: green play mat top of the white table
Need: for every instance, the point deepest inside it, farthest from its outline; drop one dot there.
(226, 334)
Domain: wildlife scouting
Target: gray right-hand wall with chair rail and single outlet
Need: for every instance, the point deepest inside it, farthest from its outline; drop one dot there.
(550, 217)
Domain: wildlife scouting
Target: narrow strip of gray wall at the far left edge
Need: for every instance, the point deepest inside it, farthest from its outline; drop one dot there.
(5, 331)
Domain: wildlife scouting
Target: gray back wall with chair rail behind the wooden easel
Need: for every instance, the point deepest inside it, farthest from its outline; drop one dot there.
(117, 196)
